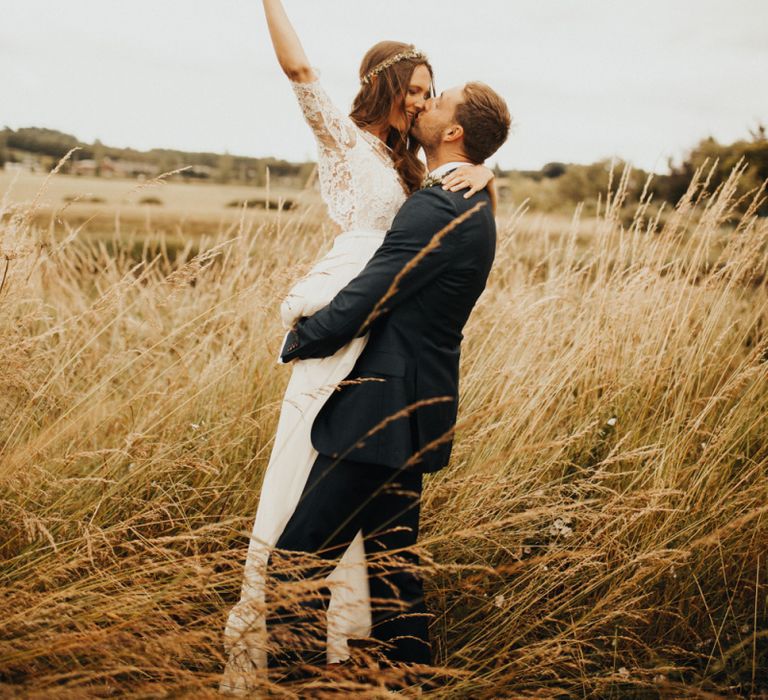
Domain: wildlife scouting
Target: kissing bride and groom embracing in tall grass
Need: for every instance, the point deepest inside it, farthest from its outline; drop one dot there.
(373, 344)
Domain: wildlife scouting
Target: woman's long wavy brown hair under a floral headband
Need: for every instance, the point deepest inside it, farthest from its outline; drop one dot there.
(373, 105)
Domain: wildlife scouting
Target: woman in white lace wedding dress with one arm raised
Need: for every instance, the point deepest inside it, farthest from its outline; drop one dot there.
(367, 167)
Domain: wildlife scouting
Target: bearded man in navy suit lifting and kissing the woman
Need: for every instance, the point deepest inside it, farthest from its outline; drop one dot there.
(392, 419)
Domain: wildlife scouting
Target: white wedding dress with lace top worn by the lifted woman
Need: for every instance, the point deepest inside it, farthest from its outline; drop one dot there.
(363, 192)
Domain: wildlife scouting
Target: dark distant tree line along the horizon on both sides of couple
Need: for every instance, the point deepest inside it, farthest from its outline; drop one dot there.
(555, 187)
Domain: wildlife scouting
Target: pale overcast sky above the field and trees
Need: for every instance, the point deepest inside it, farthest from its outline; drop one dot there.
(584, 79)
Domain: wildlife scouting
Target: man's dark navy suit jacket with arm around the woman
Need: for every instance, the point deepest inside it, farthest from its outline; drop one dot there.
(413, 297)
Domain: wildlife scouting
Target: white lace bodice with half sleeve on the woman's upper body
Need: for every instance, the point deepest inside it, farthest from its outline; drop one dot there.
(358, 182)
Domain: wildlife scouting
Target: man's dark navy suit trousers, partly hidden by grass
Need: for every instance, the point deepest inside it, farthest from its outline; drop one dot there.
(339, 498)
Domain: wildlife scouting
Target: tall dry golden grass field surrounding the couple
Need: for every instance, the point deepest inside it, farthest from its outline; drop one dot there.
(602, 530)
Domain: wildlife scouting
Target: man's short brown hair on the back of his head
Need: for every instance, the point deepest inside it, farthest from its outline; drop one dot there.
(485, 119)
